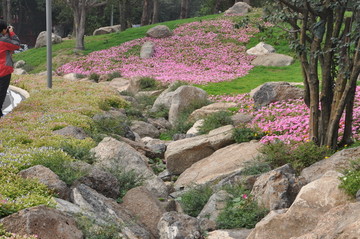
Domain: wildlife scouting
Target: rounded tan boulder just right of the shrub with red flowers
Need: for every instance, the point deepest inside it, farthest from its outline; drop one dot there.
(278, 188)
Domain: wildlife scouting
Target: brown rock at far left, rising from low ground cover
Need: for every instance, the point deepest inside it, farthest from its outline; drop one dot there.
(47, 177)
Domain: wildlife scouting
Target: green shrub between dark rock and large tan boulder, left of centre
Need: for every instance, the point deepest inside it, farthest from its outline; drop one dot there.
(127, 179)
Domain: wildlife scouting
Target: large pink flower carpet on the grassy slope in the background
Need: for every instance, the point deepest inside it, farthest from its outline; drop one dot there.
(198, 52)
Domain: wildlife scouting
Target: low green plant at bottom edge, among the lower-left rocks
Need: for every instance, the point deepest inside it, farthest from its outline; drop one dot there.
(92, 230)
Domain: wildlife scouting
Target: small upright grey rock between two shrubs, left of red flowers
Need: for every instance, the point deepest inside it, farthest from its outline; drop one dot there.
(215, 205)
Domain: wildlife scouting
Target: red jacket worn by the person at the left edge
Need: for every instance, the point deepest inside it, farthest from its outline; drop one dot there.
(7, 45)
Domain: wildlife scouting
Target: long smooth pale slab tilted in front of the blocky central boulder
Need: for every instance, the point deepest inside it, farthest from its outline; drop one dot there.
(220, 164)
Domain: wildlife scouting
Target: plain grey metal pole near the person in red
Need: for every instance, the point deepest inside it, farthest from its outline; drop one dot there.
(49, 43)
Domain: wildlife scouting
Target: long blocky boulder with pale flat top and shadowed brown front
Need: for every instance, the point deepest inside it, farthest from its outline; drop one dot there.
(181, 154)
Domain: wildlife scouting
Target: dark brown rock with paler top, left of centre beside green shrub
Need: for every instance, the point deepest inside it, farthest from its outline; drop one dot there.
(101, 181)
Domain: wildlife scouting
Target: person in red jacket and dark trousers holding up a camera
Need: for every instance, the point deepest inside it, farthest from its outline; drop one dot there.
(9, 42)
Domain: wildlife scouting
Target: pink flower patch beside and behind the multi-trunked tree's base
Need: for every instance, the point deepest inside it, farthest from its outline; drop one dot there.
(287, 121)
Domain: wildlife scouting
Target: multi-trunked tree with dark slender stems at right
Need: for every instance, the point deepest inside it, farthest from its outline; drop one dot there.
(326, 36)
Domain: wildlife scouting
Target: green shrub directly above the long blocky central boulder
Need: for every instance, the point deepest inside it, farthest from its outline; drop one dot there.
(214, 121)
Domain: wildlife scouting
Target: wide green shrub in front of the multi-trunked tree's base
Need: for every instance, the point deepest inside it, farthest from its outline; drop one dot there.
(300, 156)
